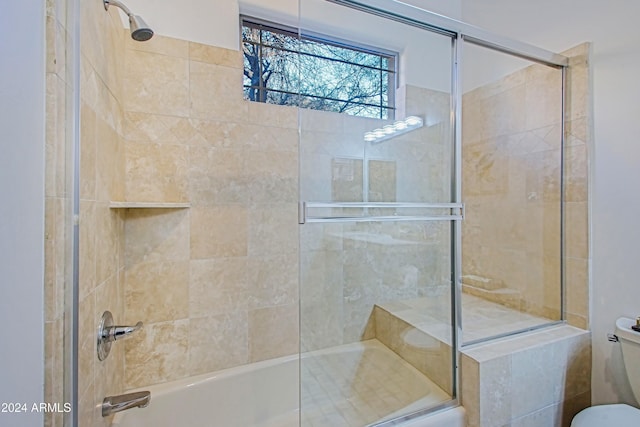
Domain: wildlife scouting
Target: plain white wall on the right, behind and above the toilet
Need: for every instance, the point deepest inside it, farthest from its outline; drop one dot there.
(612, 27)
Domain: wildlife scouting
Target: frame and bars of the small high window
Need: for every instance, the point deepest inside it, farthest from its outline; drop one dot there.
(390, 56)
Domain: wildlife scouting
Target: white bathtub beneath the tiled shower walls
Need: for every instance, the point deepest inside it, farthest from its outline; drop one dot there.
(262, 394)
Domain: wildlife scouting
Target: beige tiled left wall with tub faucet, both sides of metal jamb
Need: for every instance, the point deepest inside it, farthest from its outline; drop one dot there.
(101, 160)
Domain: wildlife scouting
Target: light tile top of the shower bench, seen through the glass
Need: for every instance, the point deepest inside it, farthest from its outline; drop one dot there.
(480, 318)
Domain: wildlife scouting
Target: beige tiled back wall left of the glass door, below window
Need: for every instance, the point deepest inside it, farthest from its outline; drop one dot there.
(215, 284)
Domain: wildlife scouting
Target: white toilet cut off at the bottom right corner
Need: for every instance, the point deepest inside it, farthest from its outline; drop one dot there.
(618, 415)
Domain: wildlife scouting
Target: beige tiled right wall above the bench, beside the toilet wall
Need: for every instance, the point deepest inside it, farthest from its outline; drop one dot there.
(511, 188)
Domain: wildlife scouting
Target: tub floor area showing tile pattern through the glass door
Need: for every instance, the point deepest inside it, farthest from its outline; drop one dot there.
(361, 384)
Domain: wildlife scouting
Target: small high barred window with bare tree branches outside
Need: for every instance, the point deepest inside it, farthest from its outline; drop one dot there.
(285, 68)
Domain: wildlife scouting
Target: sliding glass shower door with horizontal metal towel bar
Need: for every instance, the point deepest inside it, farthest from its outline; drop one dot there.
(378, 215)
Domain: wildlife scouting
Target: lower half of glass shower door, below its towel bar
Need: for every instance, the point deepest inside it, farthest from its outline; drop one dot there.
(376, 320)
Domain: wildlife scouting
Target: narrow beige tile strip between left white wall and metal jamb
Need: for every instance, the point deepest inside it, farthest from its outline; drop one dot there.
(57, 207)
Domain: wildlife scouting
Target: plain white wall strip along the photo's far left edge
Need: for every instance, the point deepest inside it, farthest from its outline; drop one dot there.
(22, 106)
